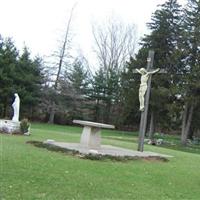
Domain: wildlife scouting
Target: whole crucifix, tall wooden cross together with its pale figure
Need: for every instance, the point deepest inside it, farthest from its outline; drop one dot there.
(144, 95)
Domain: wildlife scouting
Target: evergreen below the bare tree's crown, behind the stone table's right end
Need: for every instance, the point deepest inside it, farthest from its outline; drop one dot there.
(106, 93)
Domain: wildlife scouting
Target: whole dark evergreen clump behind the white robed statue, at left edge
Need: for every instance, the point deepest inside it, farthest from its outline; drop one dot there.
(18, 74)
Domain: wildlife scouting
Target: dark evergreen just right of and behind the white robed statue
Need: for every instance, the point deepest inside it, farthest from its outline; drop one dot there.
(28, 81)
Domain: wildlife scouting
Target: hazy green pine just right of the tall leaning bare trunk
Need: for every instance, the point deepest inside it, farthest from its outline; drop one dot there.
(76, 86)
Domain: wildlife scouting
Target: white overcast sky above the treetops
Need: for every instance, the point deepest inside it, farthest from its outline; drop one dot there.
(39, 23)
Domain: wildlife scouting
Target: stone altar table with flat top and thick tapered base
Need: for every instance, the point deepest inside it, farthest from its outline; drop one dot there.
(91, 134)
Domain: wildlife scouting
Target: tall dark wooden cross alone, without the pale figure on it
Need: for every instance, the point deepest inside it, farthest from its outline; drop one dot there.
(144, 113)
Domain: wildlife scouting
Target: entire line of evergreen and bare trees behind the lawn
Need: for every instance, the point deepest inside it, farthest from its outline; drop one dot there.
(110, 94)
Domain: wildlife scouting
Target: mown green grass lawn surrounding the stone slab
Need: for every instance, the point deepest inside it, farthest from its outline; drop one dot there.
(30, 173)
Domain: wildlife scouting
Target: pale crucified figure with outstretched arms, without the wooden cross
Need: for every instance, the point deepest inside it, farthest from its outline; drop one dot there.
(143, 85)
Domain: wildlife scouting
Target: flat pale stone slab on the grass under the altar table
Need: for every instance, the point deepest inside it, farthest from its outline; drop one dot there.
(106, 150)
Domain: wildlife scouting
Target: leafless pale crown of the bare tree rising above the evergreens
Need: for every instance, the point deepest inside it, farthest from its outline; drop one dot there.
(115, 43)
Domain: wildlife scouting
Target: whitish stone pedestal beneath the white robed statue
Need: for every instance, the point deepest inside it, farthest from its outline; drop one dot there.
(9, 126)
